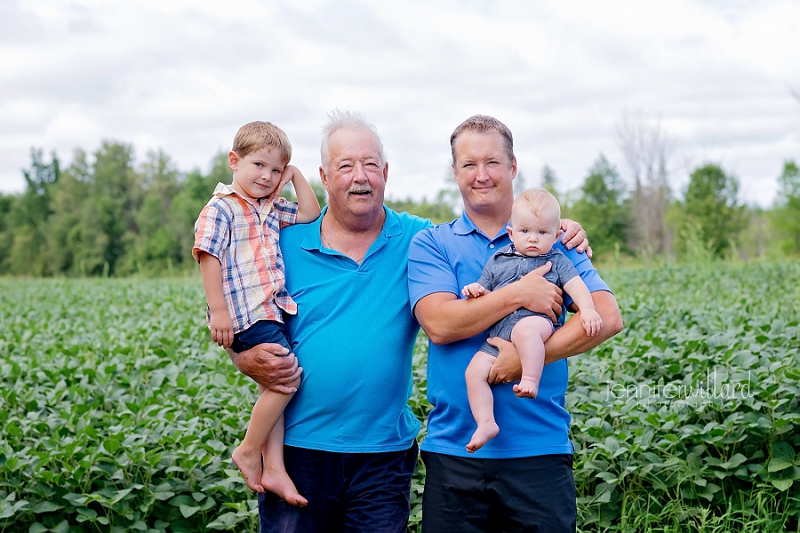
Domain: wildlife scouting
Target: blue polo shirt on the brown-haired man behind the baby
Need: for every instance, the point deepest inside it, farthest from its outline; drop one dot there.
(445, 259)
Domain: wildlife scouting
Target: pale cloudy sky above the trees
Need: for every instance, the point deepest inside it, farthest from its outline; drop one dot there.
(717, 76)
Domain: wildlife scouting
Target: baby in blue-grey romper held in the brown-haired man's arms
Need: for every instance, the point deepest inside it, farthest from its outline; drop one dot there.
(535, 221)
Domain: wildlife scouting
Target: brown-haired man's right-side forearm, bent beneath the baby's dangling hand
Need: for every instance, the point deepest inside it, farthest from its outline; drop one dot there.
(571, 339)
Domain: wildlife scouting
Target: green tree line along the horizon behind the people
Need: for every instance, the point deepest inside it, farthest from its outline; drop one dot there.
(105, 215)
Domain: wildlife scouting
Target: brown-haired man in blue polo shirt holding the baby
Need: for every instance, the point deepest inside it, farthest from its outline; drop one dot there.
(522, 480)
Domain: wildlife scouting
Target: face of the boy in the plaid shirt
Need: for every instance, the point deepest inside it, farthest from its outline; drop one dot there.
(258, 173)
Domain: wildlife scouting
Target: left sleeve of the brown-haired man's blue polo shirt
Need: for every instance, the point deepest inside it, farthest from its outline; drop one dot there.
(428, 269)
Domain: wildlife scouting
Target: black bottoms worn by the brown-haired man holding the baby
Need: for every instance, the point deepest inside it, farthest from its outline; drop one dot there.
(526, 495)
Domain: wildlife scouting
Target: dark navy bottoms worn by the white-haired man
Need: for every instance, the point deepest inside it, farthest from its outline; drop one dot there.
(346, 492)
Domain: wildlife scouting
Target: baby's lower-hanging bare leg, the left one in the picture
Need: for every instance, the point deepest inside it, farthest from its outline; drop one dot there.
(481, 401)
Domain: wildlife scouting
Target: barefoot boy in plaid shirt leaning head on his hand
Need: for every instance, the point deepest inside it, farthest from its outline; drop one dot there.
(236, 244)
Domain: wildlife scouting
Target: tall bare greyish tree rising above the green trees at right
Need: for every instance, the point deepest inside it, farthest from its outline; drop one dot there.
(647, 150)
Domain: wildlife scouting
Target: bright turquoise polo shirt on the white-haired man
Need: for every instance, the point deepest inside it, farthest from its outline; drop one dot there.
(354, 336)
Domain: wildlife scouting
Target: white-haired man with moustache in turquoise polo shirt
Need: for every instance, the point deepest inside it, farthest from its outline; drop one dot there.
(350, 435)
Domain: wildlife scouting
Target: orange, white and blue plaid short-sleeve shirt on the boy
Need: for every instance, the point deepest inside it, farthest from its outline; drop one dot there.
(244, 236)
